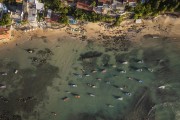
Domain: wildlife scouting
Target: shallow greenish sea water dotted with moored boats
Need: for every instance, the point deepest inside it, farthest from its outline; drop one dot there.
(108, 85)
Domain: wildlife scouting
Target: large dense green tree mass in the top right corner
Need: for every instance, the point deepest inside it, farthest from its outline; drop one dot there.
(154, 7)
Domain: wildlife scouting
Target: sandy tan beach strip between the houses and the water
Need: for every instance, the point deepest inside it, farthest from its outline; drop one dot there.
(97, 32)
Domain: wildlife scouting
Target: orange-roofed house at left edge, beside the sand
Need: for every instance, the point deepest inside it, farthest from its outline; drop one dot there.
(5, 33)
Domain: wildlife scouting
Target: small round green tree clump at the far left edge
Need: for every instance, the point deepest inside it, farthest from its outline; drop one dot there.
(6, 20)
